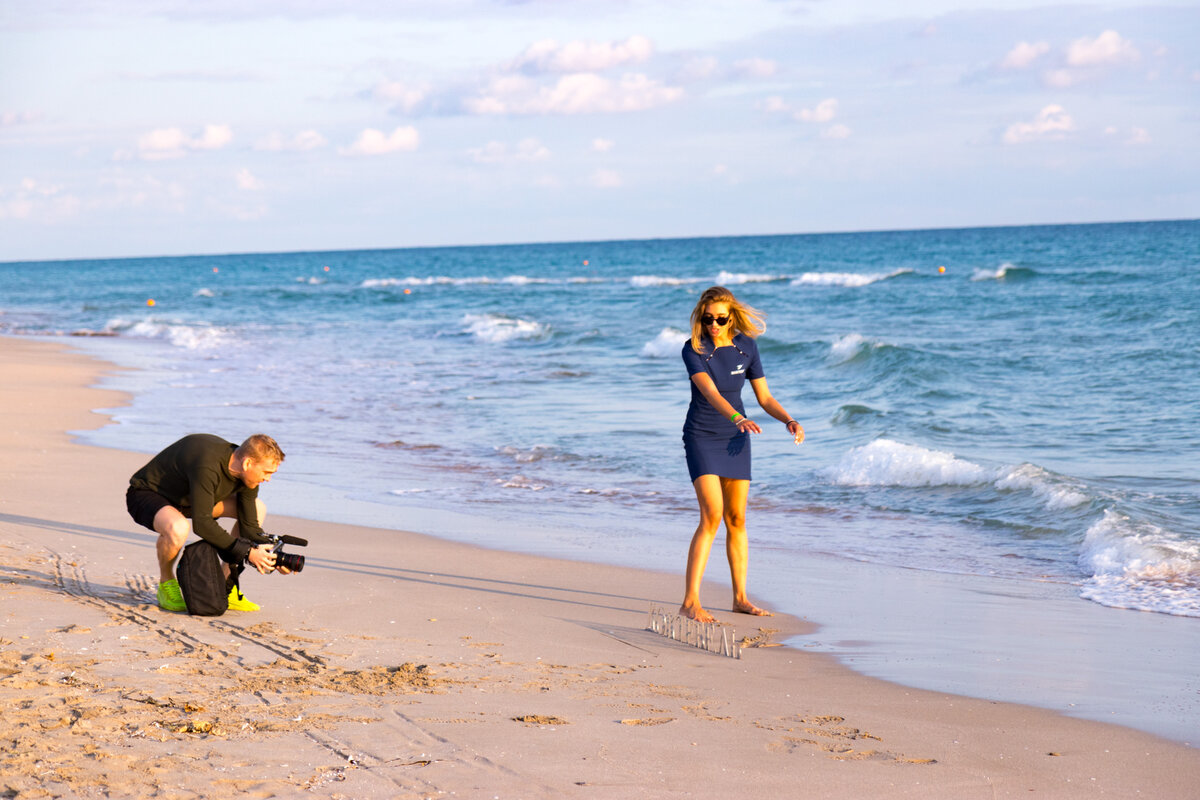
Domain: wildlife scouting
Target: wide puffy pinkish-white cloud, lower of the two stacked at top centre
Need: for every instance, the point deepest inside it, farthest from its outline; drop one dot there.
(583, 93)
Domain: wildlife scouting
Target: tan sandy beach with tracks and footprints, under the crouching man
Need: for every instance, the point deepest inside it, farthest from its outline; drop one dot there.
(403, 666)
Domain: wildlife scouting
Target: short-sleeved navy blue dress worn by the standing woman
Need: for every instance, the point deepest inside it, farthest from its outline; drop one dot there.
(711, 442)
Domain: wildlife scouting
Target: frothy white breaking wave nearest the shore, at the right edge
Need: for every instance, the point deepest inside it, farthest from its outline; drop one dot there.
(1141, 566)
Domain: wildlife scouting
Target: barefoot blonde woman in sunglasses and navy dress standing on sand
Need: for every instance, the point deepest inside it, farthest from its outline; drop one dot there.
(721, 357)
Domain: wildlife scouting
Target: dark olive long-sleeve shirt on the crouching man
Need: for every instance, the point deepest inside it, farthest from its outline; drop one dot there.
(195, 476)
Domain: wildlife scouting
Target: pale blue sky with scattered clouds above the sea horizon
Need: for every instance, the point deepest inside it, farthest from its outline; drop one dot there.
(176, 127)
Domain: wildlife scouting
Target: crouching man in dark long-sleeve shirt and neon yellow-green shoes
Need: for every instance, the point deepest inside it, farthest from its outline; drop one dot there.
(202, 478)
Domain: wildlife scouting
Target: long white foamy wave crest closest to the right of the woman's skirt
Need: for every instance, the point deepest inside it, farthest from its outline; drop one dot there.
(891, 464)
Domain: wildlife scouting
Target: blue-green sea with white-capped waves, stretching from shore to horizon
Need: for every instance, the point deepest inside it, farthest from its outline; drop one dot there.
(1009, 404)
